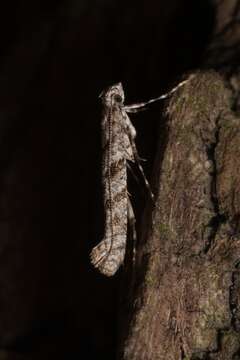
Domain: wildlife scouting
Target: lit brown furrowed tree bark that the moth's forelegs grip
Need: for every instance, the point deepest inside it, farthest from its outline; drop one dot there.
(187, 304)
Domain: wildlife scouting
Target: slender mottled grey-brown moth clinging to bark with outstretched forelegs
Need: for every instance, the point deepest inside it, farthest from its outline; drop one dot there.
(119, 150)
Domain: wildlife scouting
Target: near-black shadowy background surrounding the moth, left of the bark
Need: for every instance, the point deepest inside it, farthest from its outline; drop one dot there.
(56, 57)
